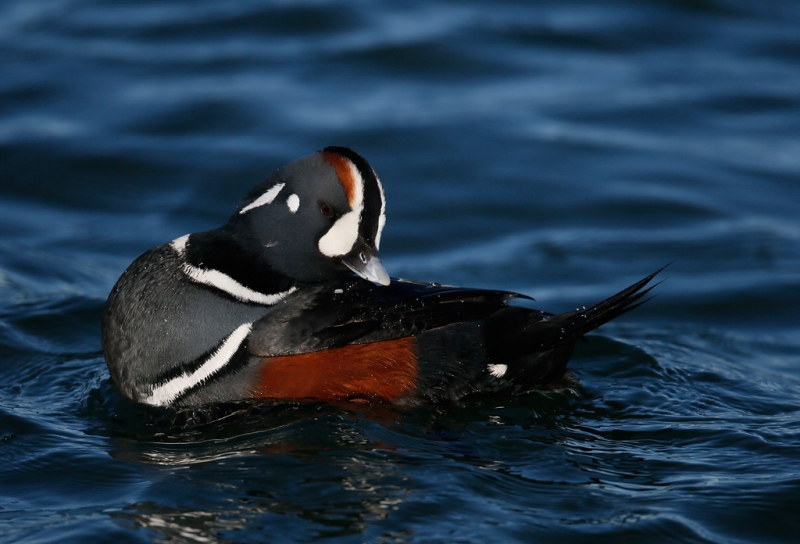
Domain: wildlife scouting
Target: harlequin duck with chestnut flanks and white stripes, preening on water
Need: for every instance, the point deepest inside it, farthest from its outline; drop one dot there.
(289, 300)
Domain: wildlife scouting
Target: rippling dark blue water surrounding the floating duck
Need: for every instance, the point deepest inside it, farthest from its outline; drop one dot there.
(561, 149)
